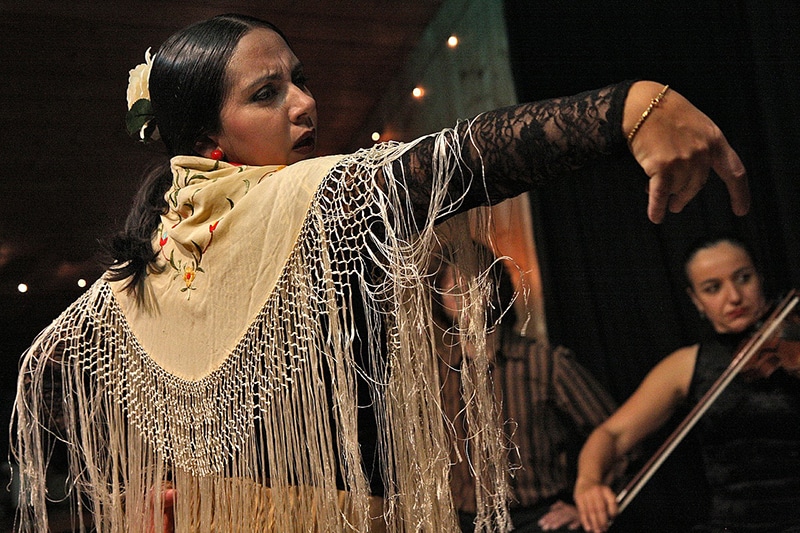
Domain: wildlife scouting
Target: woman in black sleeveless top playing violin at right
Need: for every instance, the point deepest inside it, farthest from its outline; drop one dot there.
(749, 436)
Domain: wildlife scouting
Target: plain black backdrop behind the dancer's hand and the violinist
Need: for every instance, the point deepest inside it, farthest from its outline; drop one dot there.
(613, 283)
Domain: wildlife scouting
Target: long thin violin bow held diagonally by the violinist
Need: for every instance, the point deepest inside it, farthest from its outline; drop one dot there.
(744, 355)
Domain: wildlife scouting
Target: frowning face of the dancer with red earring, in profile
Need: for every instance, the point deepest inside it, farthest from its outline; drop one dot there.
(269, 116)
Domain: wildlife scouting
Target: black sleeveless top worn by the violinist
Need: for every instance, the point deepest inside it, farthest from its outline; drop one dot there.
(750, 440)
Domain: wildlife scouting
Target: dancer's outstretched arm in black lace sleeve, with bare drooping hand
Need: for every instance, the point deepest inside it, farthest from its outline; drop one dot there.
(518, 147)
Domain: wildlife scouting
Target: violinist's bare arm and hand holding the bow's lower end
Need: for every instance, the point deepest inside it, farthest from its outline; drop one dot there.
(644, 412)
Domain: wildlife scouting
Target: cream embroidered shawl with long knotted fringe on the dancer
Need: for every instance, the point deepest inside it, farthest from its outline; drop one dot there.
(234, 377)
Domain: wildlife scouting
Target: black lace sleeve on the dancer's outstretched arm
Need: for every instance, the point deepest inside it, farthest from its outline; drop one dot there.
(519, 147)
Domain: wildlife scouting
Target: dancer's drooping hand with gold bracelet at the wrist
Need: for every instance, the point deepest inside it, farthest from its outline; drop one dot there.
(678, 146)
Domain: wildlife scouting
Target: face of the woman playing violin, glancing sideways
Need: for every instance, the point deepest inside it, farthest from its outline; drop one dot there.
(726, 287)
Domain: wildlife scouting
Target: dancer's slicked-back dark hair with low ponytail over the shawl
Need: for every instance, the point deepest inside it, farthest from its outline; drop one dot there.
(187, 89)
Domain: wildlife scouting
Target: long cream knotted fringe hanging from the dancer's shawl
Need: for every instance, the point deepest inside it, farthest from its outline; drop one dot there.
(257, 444)
